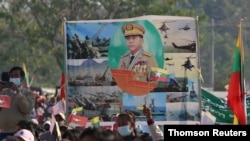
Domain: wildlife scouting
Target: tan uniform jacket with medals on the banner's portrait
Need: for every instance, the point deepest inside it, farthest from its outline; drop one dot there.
(141, 65)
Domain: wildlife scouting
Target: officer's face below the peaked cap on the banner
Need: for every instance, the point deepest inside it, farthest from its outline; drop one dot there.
(134, 43)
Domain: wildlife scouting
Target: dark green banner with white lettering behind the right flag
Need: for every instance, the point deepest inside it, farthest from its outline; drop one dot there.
(218, 107)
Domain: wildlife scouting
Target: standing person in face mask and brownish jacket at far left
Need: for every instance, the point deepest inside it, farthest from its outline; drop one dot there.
(21, 104)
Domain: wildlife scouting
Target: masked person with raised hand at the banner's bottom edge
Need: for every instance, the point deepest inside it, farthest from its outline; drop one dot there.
(127, 127)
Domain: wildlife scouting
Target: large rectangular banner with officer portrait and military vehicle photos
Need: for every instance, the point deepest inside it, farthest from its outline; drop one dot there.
(122, 64)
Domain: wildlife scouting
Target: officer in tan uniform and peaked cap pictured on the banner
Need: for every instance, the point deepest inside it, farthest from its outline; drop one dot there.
(137, 59)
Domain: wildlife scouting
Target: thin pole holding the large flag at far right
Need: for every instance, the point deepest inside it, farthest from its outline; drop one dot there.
(243, 88)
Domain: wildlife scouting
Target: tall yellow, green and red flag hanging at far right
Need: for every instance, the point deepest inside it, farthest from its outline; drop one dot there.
(236, 92)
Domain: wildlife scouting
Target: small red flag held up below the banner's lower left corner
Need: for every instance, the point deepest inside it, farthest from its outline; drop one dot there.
(77, 120)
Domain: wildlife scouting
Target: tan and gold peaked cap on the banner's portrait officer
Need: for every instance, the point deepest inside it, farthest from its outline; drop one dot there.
(133, 29)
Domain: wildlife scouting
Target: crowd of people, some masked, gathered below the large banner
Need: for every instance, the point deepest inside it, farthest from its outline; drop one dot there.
(29, 118)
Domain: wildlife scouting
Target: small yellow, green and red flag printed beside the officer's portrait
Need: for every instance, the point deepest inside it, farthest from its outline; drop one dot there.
(158, 74)
